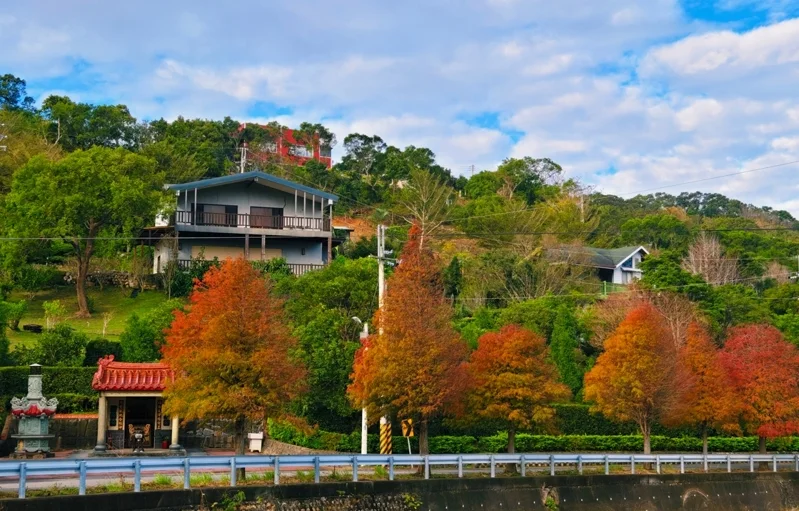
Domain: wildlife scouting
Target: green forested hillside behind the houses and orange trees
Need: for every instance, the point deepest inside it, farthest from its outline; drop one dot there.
(511, 241)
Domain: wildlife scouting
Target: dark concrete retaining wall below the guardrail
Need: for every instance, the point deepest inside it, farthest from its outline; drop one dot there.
(719, 492)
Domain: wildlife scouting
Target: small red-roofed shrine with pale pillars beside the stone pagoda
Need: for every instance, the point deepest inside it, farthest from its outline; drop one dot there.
(131, 401)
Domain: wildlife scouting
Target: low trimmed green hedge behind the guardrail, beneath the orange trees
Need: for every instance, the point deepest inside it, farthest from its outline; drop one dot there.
(326, 441)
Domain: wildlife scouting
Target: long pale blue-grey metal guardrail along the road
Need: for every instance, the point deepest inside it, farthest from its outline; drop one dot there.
(21, 470)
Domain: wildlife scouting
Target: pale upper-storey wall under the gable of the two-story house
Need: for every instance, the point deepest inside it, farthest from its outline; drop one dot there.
(245, 195)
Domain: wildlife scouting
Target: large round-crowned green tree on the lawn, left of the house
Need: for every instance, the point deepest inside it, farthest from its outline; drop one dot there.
(101, 192)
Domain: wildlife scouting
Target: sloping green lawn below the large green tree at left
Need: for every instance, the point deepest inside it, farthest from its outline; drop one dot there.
(116, 301)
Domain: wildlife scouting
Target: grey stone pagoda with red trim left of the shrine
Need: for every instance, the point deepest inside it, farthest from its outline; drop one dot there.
(34, 412)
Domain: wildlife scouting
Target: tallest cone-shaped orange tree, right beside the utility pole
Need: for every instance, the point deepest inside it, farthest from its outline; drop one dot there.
(416, 367)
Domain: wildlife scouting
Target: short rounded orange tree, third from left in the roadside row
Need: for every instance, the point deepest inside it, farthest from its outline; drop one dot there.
(513, 382)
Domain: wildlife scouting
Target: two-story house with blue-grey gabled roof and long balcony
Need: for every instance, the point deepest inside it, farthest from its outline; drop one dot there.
(253, 215)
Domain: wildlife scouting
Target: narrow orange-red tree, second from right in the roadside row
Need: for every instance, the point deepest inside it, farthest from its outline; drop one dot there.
(702, 392)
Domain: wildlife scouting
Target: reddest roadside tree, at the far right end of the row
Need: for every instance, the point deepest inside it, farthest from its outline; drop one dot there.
(765, 372)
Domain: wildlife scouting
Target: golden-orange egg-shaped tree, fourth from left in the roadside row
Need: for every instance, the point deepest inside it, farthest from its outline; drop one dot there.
(630, 379)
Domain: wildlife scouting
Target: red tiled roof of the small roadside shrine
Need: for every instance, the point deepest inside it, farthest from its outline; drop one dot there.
(128, 376)
